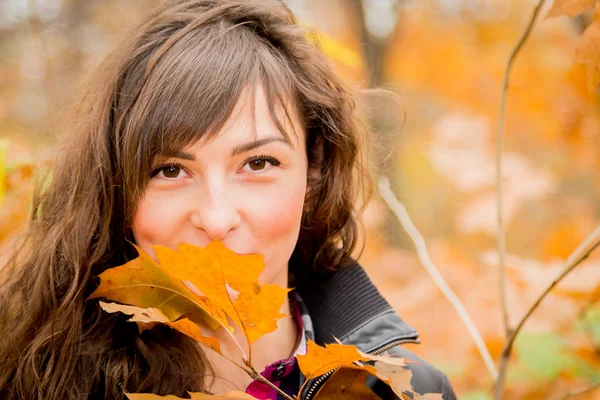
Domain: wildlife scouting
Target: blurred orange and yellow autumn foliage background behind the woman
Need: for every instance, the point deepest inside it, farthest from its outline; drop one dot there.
(445, 60)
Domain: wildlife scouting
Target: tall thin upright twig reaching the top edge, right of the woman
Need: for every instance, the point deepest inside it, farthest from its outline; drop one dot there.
(499, 150)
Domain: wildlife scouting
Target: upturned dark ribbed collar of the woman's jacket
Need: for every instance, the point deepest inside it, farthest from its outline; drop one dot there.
(347, 306)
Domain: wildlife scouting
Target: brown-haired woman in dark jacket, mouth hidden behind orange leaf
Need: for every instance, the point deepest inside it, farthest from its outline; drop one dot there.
(216, 120)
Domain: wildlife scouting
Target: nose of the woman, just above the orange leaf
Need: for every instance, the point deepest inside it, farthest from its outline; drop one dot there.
(216, 215)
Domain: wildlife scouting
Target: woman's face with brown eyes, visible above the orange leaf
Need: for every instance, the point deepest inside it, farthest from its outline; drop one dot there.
(247, 191)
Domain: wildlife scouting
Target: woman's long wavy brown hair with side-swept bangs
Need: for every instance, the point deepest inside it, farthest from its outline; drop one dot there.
(176, 80)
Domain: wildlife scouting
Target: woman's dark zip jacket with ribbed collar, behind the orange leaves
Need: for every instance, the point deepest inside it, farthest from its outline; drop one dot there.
(349, 307)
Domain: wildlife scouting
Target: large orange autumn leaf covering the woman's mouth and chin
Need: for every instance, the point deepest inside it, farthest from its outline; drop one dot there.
(212, 282)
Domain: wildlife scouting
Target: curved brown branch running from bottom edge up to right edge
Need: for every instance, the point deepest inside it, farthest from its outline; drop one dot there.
(581, 253)
